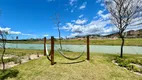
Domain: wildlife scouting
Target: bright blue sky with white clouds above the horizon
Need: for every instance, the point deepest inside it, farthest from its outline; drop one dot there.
(35, 18)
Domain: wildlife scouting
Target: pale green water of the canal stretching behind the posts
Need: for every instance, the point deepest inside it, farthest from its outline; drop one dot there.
(81, 48)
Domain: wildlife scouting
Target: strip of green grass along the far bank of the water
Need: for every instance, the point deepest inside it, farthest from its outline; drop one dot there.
(128, 42)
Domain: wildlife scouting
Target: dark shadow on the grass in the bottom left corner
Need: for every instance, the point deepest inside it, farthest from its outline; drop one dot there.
(8, 73)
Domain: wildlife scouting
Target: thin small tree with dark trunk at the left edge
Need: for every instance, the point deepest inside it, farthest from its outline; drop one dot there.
(3, 37)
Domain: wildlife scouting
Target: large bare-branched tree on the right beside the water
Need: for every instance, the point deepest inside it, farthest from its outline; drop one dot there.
(124, 13)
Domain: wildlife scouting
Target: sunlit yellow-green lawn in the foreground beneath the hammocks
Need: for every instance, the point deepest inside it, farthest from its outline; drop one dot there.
(99, 68)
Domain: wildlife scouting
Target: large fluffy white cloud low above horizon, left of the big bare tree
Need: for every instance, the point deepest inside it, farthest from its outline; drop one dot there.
(94, 27)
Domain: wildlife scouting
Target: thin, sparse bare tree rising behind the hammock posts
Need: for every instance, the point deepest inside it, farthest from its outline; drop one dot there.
(56, 20)
